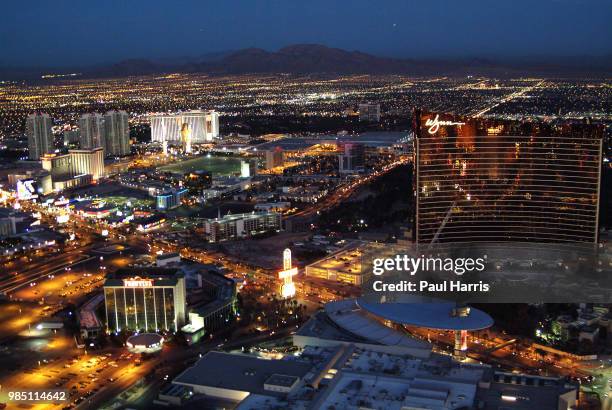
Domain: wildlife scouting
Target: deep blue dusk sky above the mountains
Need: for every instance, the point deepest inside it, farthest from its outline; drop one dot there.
(63, 33)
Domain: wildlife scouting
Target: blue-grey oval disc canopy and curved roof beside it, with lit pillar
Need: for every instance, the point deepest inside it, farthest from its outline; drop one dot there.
(364, 323)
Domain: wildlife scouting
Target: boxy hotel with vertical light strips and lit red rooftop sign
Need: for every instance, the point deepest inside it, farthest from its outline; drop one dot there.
(149, 299)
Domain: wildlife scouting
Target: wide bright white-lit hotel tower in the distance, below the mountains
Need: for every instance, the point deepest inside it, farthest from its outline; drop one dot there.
(203, 127)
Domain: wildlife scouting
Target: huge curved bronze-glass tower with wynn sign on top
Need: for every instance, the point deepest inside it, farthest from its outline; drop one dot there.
(481, 180)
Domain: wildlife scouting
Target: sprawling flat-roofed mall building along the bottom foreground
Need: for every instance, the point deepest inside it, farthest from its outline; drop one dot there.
(349, 377)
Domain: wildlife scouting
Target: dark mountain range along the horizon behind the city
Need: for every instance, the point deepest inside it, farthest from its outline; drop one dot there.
(318, 59)
